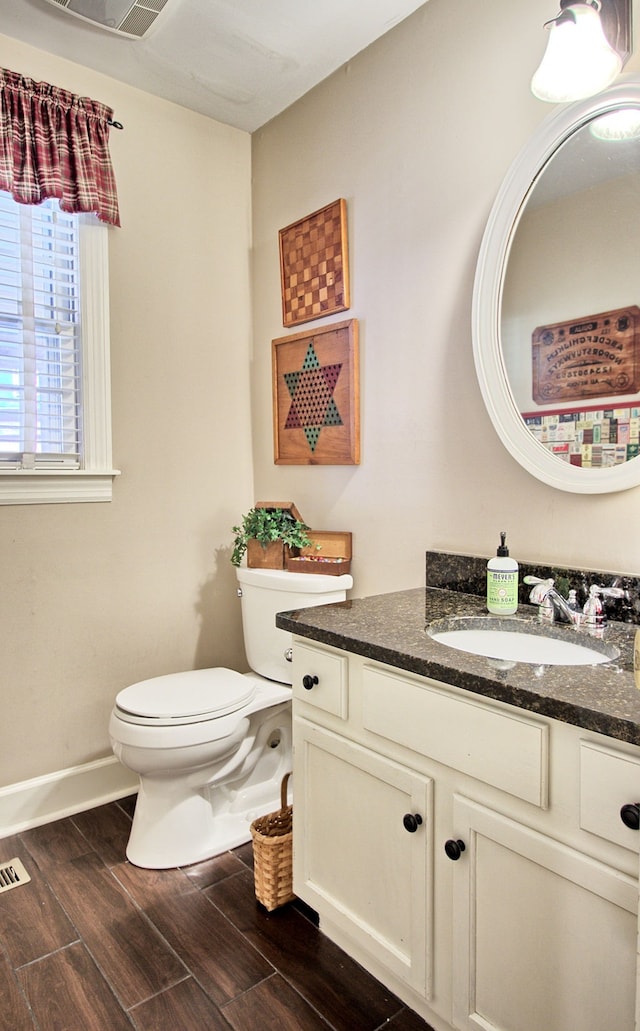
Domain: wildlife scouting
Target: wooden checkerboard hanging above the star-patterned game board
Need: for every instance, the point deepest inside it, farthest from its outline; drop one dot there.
(315, 265)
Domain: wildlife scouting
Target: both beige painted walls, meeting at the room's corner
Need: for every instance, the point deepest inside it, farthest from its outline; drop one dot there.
(417, 134)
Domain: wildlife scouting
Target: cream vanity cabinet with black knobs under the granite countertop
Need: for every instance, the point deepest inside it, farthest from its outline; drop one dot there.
(468, 853)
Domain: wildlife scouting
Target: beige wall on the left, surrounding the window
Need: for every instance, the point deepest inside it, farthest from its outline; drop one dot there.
(96, 596)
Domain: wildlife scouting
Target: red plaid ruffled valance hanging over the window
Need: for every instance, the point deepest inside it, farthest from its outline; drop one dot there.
(56, 145)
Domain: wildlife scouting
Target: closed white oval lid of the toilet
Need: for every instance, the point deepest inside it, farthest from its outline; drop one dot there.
(189, 697)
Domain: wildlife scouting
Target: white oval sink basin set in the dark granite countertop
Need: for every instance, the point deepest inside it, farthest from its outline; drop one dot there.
(521, 644)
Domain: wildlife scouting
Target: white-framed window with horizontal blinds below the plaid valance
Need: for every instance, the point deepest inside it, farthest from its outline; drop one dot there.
(55, 404)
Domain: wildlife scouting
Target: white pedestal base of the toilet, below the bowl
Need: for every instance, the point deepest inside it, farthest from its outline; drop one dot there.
(176, 825)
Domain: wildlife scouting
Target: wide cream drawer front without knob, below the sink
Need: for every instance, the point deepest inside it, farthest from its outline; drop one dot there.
(500, 748)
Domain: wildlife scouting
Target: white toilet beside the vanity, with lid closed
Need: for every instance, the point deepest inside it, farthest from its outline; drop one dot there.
(211, 747)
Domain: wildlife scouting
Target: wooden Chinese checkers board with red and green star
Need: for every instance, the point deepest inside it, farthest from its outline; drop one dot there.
(317, 397)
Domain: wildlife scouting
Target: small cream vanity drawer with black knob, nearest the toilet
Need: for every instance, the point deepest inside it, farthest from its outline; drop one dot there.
(326, 677)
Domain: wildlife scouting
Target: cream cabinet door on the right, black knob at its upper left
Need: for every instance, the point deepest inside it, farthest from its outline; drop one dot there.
(545, 937)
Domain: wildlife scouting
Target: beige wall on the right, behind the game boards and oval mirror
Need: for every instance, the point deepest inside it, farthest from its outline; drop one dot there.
(417, 135)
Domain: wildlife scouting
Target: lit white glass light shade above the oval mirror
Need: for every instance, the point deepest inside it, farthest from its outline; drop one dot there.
(579, 61)
